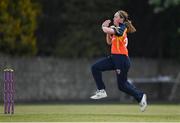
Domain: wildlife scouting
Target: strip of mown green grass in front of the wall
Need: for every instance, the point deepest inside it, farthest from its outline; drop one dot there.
(92, 113)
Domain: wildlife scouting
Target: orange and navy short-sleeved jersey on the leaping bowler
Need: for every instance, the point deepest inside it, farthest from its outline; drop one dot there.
(119, 40)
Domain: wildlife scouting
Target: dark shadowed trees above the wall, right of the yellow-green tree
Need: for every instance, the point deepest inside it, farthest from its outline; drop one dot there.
(73, 28)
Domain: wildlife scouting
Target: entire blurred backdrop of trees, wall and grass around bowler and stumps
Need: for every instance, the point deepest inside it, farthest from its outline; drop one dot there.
(52, 44)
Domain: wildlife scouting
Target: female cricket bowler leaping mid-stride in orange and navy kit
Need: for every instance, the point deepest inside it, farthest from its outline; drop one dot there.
(116, 36)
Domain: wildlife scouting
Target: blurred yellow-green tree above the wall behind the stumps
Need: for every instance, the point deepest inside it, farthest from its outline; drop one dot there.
(17, 27)
